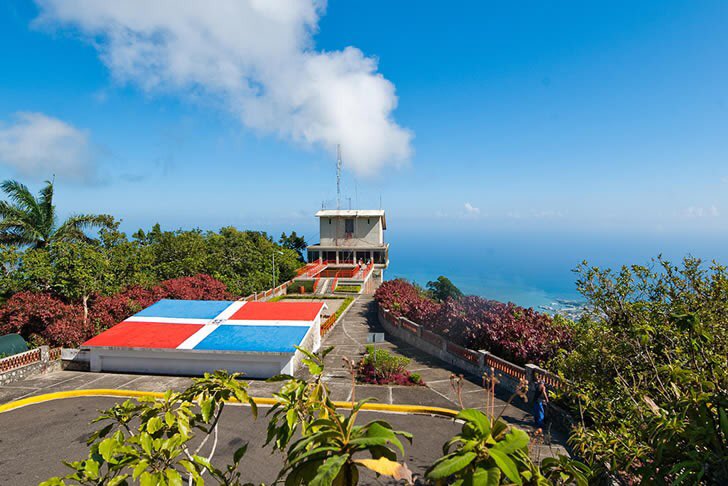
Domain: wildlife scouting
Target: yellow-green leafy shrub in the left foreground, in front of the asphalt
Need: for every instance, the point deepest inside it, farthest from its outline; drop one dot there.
(149, 441)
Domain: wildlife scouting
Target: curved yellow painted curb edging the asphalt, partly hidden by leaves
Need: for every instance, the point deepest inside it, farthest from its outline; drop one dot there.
(104, 392)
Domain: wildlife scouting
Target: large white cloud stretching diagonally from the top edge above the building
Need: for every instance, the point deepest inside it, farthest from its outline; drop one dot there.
(252, 57)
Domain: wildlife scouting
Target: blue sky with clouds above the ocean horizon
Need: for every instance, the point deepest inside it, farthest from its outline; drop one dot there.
(510, 116)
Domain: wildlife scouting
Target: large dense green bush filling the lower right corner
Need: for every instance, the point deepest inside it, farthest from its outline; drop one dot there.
(649, 373)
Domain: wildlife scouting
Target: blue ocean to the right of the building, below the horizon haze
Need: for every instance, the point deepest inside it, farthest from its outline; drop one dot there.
(532, 268)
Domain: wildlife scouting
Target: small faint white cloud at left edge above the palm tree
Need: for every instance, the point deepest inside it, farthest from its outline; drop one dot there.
(38, 145)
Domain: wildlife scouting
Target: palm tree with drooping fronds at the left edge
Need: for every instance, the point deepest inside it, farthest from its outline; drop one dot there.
(26, 220)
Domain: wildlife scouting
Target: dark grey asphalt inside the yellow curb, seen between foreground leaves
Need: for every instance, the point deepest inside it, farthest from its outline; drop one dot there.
(36, 438)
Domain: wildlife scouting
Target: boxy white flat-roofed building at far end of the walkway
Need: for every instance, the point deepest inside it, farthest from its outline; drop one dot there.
(352, 237)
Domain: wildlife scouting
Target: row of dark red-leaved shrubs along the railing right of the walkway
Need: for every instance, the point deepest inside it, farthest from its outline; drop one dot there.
(509, 331)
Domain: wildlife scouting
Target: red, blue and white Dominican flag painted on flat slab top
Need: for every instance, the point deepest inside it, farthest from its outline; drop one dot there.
(208, 325)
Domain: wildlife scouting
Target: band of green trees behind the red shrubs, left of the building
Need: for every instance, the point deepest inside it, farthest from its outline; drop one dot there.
(76, 270)
